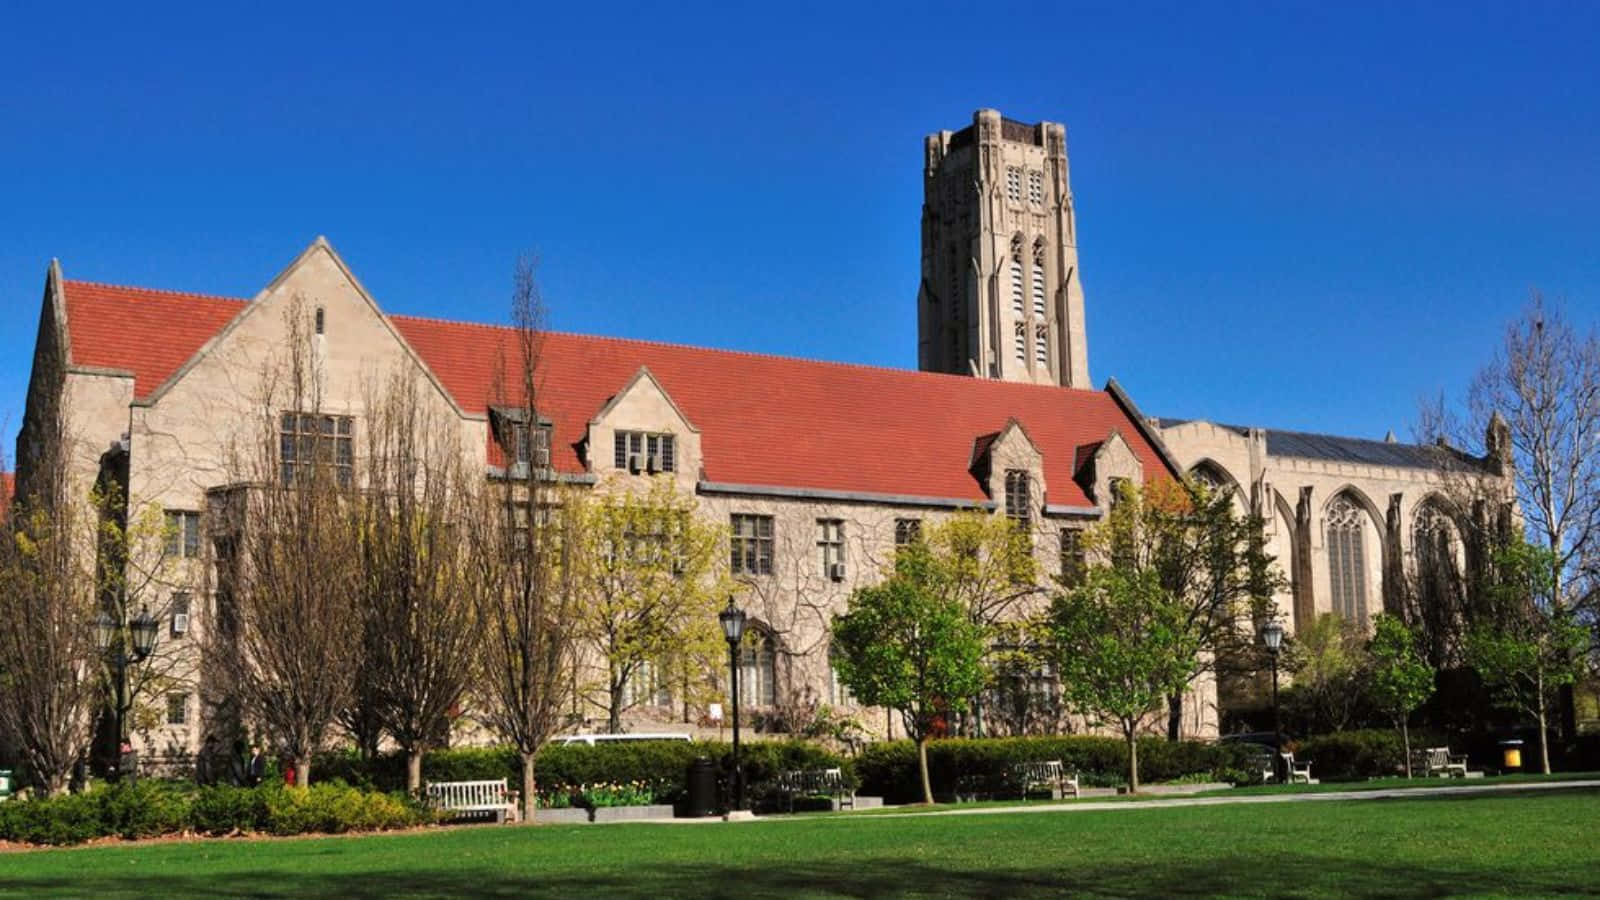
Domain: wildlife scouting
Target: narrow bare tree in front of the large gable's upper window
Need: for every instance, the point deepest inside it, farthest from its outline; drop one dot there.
(289, 627)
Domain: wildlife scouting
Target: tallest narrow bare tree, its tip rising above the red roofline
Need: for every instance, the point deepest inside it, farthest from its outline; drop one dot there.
(521, 537)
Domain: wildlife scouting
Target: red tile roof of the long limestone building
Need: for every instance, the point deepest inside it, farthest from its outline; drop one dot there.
(764, 420)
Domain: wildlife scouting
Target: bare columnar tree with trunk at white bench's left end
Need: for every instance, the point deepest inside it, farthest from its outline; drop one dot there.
(417, 605)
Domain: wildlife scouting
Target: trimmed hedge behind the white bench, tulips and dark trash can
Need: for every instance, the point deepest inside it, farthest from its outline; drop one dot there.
(569, 768)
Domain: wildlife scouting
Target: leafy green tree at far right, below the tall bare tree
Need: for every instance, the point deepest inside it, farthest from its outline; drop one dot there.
(1532, 646)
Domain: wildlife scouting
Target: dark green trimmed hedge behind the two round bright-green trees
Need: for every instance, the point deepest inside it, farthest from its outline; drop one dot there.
(890, 769)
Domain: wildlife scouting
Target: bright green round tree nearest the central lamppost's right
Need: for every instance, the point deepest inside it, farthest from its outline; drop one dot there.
(908, 646)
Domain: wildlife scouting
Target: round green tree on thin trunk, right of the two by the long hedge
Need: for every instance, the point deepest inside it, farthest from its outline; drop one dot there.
(1122, 649)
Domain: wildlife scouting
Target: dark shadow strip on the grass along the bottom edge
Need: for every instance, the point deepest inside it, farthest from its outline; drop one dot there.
(1281, 874)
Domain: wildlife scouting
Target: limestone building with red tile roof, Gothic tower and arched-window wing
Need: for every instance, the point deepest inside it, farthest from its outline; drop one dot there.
(817, 472)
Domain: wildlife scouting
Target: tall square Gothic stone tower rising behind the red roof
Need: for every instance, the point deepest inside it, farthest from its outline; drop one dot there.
(1001, 294)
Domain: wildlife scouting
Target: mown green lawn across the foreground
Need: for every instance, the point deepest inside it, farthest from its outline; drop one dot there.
(1543, 845)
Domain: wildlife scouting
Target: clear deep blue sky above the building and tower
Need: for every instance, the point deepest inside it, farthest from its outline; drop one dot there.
(1289, 217)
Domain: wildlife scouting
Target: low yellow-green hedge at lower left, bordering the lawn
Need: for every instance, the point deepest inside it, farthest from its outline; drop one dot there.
(153, 808)
